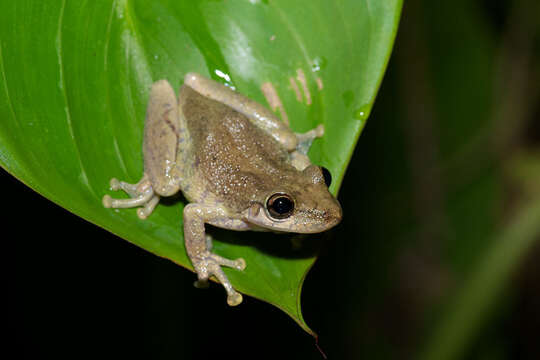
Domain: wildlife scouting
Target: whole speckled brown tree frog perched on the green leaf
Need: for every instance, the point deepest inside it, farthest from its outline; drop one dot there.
(235, 162)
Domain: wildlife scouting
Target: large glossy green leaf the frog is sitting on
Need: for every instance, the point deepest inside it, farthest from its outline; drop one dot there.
(75, 78)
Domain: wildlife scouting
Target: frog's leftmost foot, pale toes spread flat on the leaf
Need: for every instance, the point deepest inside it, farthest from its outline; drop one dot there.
(141, 194)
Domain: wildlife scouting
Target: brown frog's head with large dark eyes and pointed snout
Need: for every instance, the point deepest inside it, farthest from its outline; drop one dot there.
(303, 205)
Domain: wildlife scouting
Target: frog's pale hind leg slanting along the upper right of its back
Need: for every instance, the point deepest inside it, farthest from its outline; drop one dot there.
(256, 113)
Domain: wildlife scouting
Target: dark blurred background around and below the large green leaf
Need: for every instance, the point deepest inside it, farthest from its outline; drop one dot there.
(448, 159)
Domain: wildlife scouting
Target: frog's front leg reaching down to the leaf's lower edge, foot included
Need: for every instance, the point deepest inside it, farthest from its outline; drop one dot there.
(204, 262)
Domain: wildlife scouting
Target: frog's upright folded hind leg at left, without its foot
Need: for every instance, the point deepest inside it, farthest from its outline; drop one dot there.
(161, 132)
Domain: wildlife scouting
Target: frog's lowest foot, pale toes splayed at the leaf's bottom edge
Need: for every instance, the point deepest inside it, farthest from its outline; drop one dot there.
(209, 264)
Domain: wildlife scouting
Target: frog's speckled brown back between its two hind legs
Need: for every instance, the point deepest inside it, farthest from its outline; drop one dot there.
(235, 161)
